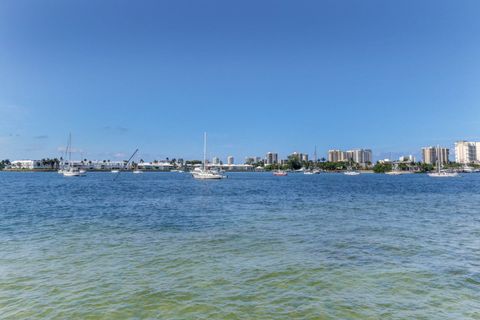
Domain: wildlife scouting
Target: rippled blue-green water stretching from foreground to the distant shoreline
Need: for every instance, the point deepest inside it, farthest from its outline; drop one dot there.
(254, 246)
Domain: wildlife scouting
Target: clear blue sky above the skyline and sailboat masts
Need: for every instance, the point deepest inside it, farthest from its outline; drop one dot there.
(258, 76)
